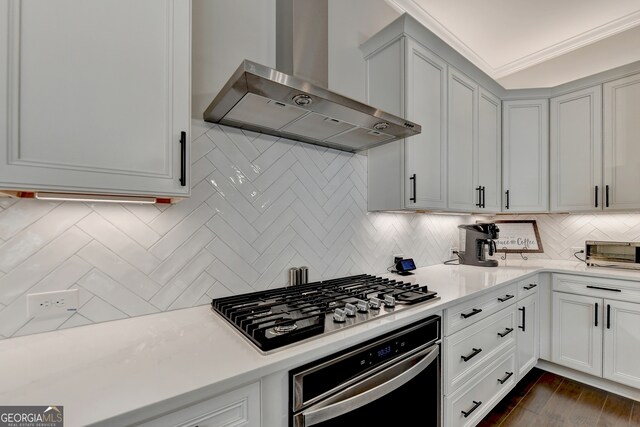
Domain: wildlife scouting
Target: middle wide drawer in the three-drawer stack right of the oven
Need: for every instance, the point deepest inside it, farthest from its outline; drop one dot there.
(470, 349)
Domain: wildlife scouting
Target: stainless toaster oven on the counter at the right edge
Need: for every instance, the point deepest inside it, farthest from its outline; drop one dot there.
(600, 253)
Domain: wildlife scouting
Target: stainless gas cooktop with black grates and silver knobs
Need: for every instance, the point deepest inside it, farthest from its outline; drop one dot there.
(278, 317)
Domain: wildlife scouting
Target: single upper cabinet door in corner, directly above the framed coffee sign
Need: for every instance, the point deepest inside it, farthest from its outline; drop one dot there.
(525, 155)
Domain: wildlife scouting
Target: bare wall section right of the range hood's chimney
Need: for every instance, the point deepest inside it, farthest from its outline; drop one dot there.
(351, 23)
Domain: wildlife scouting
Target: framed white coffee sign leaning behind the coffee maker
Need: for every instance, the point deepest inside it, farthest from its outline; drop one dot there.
(519, 236)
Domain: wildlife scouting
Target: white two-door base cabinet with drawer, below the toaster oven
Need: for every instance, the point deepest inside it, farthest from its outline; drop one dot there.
(594, 333)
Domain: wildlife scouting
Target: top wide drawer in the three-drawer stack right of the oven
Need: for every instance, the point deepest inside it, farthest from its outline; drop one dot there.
(470, 312)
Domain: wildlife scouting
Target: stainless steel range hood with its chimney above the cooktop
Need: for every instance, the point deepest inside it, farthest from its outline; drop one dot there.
(293, 101)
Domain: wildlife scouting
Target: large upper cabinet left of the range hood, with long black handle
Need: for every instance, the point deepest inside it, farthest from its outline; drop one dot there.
(98, 96)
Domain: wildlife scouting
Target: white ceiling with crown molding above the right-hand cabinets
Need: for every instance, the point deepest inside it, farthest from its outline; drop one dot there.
(541, 43)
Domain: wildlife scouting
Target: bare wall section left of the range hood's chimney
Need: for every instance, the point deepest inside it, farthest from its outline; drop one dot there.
(224, 33)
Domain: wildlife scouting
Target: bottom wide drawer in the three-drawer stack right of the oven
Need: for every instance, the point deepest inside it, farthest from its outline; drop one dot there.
(479, 395)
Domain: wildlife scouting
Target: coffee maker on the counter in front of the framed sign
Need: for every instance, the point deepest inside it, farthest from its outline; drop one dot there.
(479, 244)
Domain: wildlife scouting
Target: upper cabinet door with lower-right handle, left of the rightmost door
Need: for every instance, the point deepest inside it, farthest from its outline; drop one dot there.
(576, 151)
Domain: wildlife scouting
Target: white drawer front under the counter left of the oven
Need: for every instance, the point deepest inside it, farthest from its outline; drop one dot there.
(240, 407)
